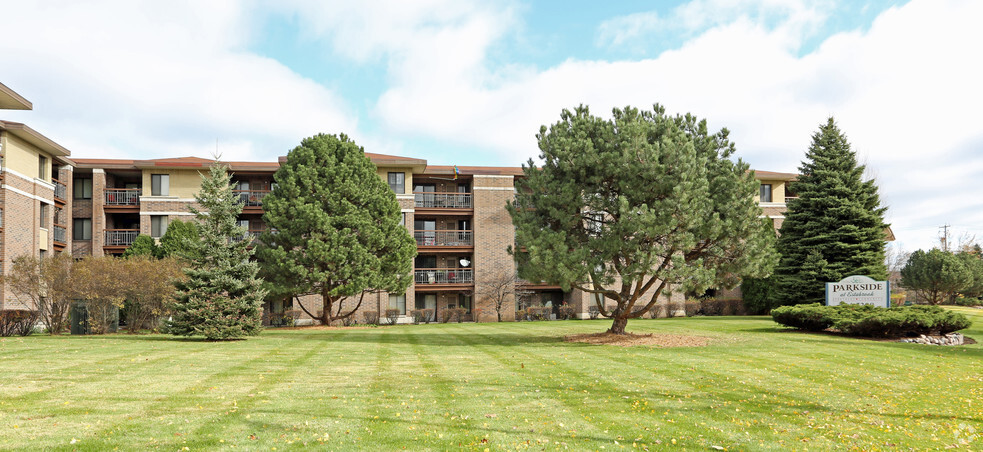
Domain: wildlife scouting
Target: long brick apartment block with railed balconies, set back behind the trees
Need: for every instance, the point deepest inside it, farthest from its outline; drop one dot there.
(456, 215)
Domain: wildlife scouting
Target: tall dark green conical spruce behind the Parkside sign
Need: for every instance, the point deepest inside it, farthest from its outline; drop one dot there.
(836, 226)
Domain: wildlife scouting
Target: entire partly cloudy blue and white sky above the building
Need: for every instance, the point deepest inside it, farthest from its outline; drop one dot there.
(469, 83)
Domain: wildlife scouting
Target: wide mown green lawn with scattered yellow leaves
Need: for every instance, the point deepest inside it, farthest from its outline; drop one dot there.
(495, 386)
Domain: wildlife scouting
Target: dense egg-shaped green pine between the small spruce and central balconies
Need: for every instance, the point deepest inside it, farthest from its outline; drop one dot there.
(337, 227)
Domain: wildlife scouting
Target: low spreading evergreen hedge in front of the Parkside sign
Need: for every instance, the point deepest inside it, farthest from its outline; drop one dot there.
(871, 321)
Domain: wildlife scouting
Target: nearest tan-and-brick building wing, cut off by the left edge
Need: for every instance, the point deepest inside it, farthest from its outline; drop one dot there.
(35, 194)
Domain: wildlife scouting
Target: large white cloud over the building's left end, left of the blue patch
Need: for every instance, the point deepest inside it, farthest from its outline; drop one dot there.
(158, 79)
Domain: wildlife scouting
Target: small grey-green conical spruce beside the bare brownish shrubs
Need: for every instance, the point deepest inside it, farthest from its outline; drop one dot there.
(222, 296)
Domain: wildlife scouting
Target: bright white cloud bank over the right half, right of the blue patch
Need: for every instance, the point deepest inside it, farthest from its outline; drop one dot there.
(904, 92)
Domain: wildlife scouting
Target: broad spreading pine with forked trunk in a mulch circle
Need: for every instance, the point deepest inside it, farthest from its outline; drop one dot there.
(634, 207)
